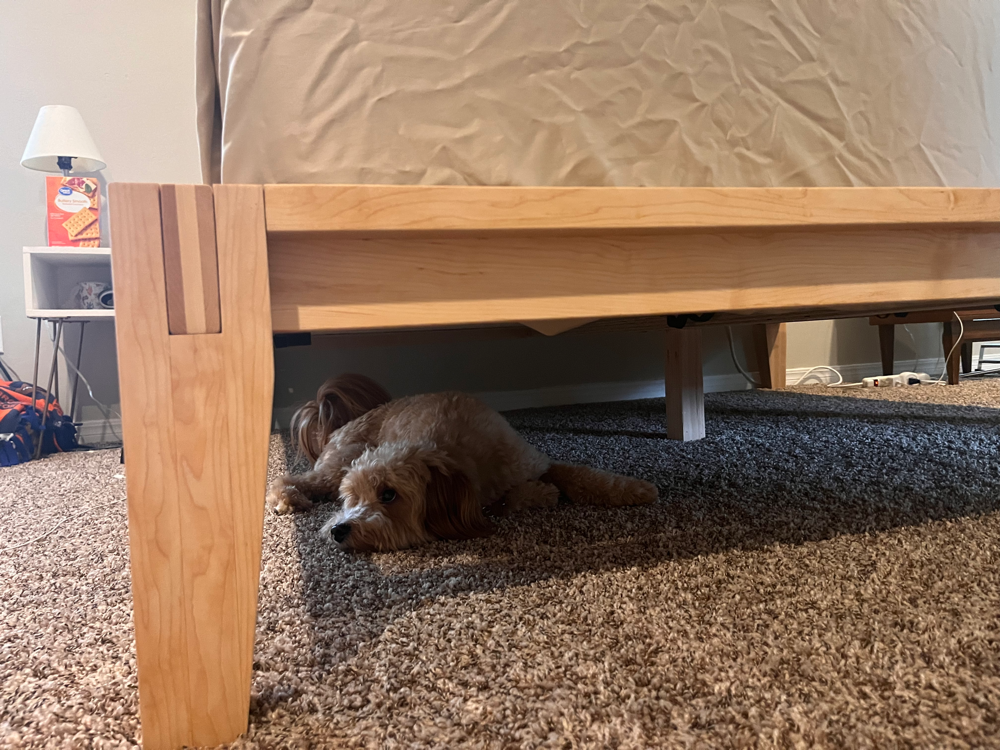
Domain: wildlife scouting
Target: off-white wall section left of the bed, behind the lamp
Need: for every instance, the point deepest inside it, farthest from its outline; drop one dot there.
(128, 67)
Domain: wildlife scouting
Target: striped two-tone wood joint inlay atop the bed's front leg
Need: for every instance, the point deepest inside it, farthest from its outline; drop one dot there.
(189, 259)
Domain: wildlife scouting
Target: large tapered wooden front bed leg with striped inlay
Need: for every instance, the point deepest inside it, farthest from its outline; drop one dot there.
(196, 370)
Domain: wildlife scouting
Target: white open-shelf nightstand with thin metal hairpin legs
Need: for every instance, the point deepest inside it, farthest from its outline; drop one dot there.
(50, 274)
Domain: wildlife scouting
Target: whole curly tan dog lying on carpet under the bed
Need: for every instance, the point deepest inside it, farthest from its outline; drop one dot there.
(426, 467)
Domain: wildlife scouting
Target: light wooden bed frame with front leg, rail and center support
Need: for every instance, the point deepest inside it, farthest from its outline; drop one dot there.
(204, 276)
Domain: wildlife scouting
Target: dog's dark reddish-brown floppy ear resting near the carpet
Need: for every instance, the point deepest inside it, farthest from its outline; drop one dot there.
(453, 510)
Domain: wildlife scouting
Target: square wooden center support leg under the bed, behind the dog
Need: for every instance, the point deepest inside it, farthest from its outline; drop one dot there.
(685, 390)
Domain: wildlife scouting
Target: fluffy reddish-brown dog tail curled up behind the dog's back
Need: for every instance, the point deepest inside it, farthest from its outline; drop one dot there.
(338, 401)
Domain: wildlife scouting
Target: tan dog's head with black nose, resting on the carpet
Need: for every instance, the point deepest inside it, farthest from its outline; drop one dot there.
(399, 495)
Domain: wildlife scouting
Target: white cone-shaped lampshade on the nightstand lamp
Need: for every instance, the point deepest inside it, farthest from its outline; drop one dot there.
(59, 131)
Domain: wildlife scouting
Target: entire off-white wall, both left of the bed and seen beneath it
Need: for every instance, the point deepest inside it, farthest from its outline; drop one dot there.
(129, 68)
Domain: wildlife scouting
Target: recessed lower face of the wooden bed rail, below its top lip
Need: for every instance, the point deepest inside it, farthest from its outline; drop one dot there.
(324, 282)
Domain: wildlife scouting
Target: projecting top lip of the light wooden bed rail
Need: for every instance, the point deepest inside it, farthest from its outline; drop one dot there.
(407, 208)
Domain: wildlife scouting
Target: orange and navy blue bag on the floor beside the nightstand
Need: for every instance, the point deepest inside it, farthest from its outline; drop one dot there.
(21, 424)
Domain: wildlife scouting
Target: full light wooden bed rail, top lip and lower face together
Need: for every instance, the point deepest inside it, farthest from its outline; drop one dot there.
(381, 257)
